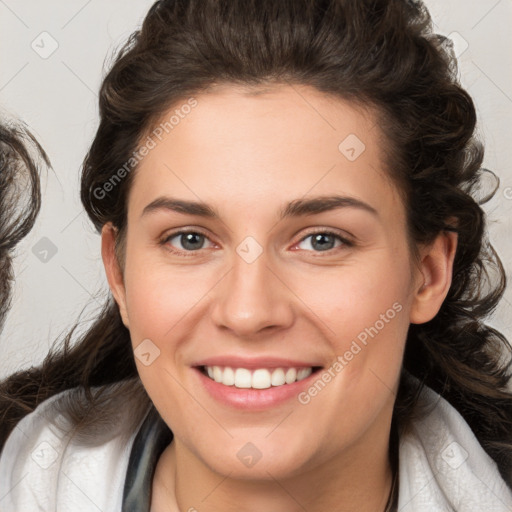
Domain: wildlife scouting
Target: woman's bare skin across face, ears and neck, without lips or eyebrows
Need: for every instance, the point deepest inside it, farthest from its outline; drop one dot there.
(248, 155)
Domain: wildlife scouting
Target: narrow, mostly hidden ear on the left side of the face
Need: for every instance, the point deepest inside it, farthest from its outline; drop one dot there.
(112, 269)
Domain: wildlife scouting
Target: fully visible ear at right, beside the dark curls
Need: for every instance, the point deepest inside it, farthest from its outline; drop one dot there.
(435, 275)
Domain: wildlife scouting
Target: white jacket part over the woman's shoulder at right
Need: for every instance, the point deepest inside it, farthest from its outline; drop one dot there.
(442, 466)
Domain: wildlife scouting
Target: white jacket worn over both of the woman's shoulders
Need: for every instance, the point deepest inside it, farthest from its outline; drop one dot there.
(442, 467)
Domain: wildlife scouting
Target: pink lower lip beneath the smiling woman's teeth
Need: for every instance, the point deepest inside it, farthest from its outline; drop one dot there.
(253, 399)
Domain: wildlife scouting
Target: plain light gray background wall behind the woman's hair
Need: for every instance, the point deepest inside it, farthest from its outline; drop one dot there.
(57, 97)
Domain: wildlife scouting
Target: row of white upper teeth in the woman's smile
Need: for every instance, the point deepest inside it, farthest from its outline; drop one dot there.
(262, 378)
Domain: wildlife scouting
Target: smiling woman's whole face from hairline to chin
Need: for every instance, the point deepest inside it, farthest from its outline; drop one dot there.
(274, 275)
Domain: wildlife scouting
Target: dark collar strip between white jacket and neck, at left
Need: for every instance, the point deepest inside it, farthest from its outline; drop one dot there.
(152, 439)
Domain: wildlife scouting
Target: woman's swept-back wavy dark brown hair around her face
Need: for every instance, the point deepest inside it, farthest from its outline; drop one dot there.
(380, 52)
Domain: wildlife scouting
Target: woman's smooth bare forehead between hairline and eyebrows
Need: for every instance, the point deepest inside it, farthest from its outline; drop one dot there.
(244, 146)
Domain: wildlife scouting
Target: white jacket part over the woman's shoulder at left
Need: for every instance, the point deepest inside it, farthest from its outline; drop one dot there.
(47, 465)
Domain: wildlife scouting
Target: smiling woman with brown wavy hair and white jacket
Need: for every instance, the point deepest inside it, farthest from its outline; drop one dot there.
(323, 345)
